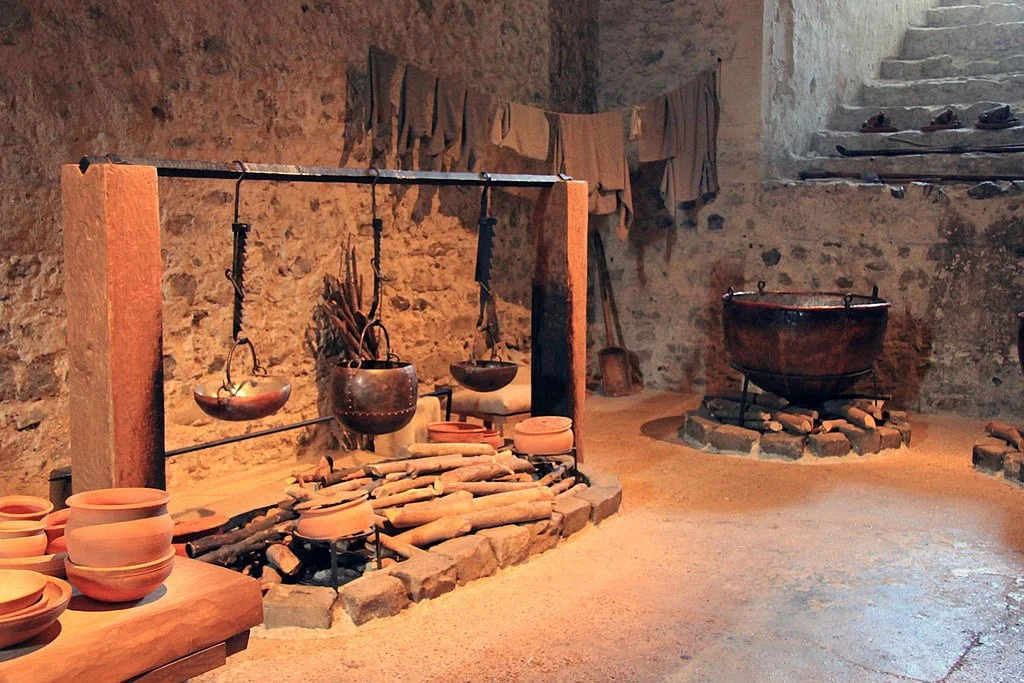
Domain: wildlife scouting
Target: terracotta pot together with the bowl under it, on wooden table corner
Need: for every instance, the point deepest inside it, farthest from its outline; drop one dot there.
(119, 543)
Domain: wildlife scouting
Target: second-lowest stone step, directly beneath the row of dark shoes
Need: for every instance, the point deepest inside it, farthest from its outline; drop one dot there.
(824, 143)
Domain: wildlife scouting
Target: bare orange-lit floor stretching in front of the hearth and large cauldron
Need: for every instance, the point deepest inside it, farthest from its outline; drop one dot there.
(905, 566)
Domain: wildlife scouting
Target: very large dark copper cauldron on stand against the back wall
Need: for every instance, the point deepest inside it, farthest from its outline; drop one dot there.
(805, 347)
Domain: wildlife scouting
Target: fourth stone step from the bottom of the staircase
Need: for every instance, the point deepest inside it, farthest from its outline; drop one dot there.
(995, 88)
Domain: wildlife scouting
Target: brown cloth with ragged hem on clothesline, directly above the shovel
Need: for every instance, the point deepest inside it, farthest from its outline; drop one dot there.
(591, 148)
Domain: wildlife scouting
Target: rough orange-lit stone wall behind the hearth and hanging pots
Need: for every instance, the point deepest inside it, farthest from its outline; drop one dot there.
(274, 82)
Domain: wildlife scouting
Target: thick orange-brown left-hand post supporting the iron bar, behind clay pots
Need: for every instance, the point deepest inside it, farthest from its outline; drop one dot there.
(113, 271)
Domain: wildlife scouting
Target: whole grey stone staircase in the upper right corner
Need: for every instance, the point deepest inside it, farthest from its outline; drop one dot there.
(970, 57)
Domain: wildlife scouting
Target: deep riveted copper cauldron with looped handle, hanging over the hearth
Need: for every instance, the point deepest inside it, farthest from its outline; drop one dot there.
(374, 397)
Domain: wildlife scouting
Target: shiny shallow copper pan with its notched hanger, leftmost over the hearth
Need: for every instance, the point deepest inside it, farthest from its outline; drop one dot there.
(259, 395)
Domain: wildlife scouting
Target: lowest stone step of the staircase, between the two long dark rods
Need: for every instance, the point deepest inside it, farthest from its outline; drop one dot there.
(1011, 165)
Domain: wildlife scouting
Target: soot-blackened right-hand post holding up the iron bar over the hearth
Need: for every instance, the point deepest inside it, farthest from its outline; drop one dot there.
(560, 305)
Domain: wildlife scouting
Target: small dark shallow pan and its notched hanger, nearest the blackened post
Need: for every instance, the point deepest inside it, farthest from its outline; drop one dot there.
(494, 374)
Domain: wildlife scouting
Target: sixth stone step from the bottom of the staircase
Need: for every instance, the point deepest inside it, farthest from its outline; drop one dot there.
(984, 41)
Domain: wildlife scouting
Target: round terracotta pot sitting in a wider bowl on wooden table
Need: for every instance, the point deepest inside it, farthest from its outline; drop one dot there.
(113, 528)
